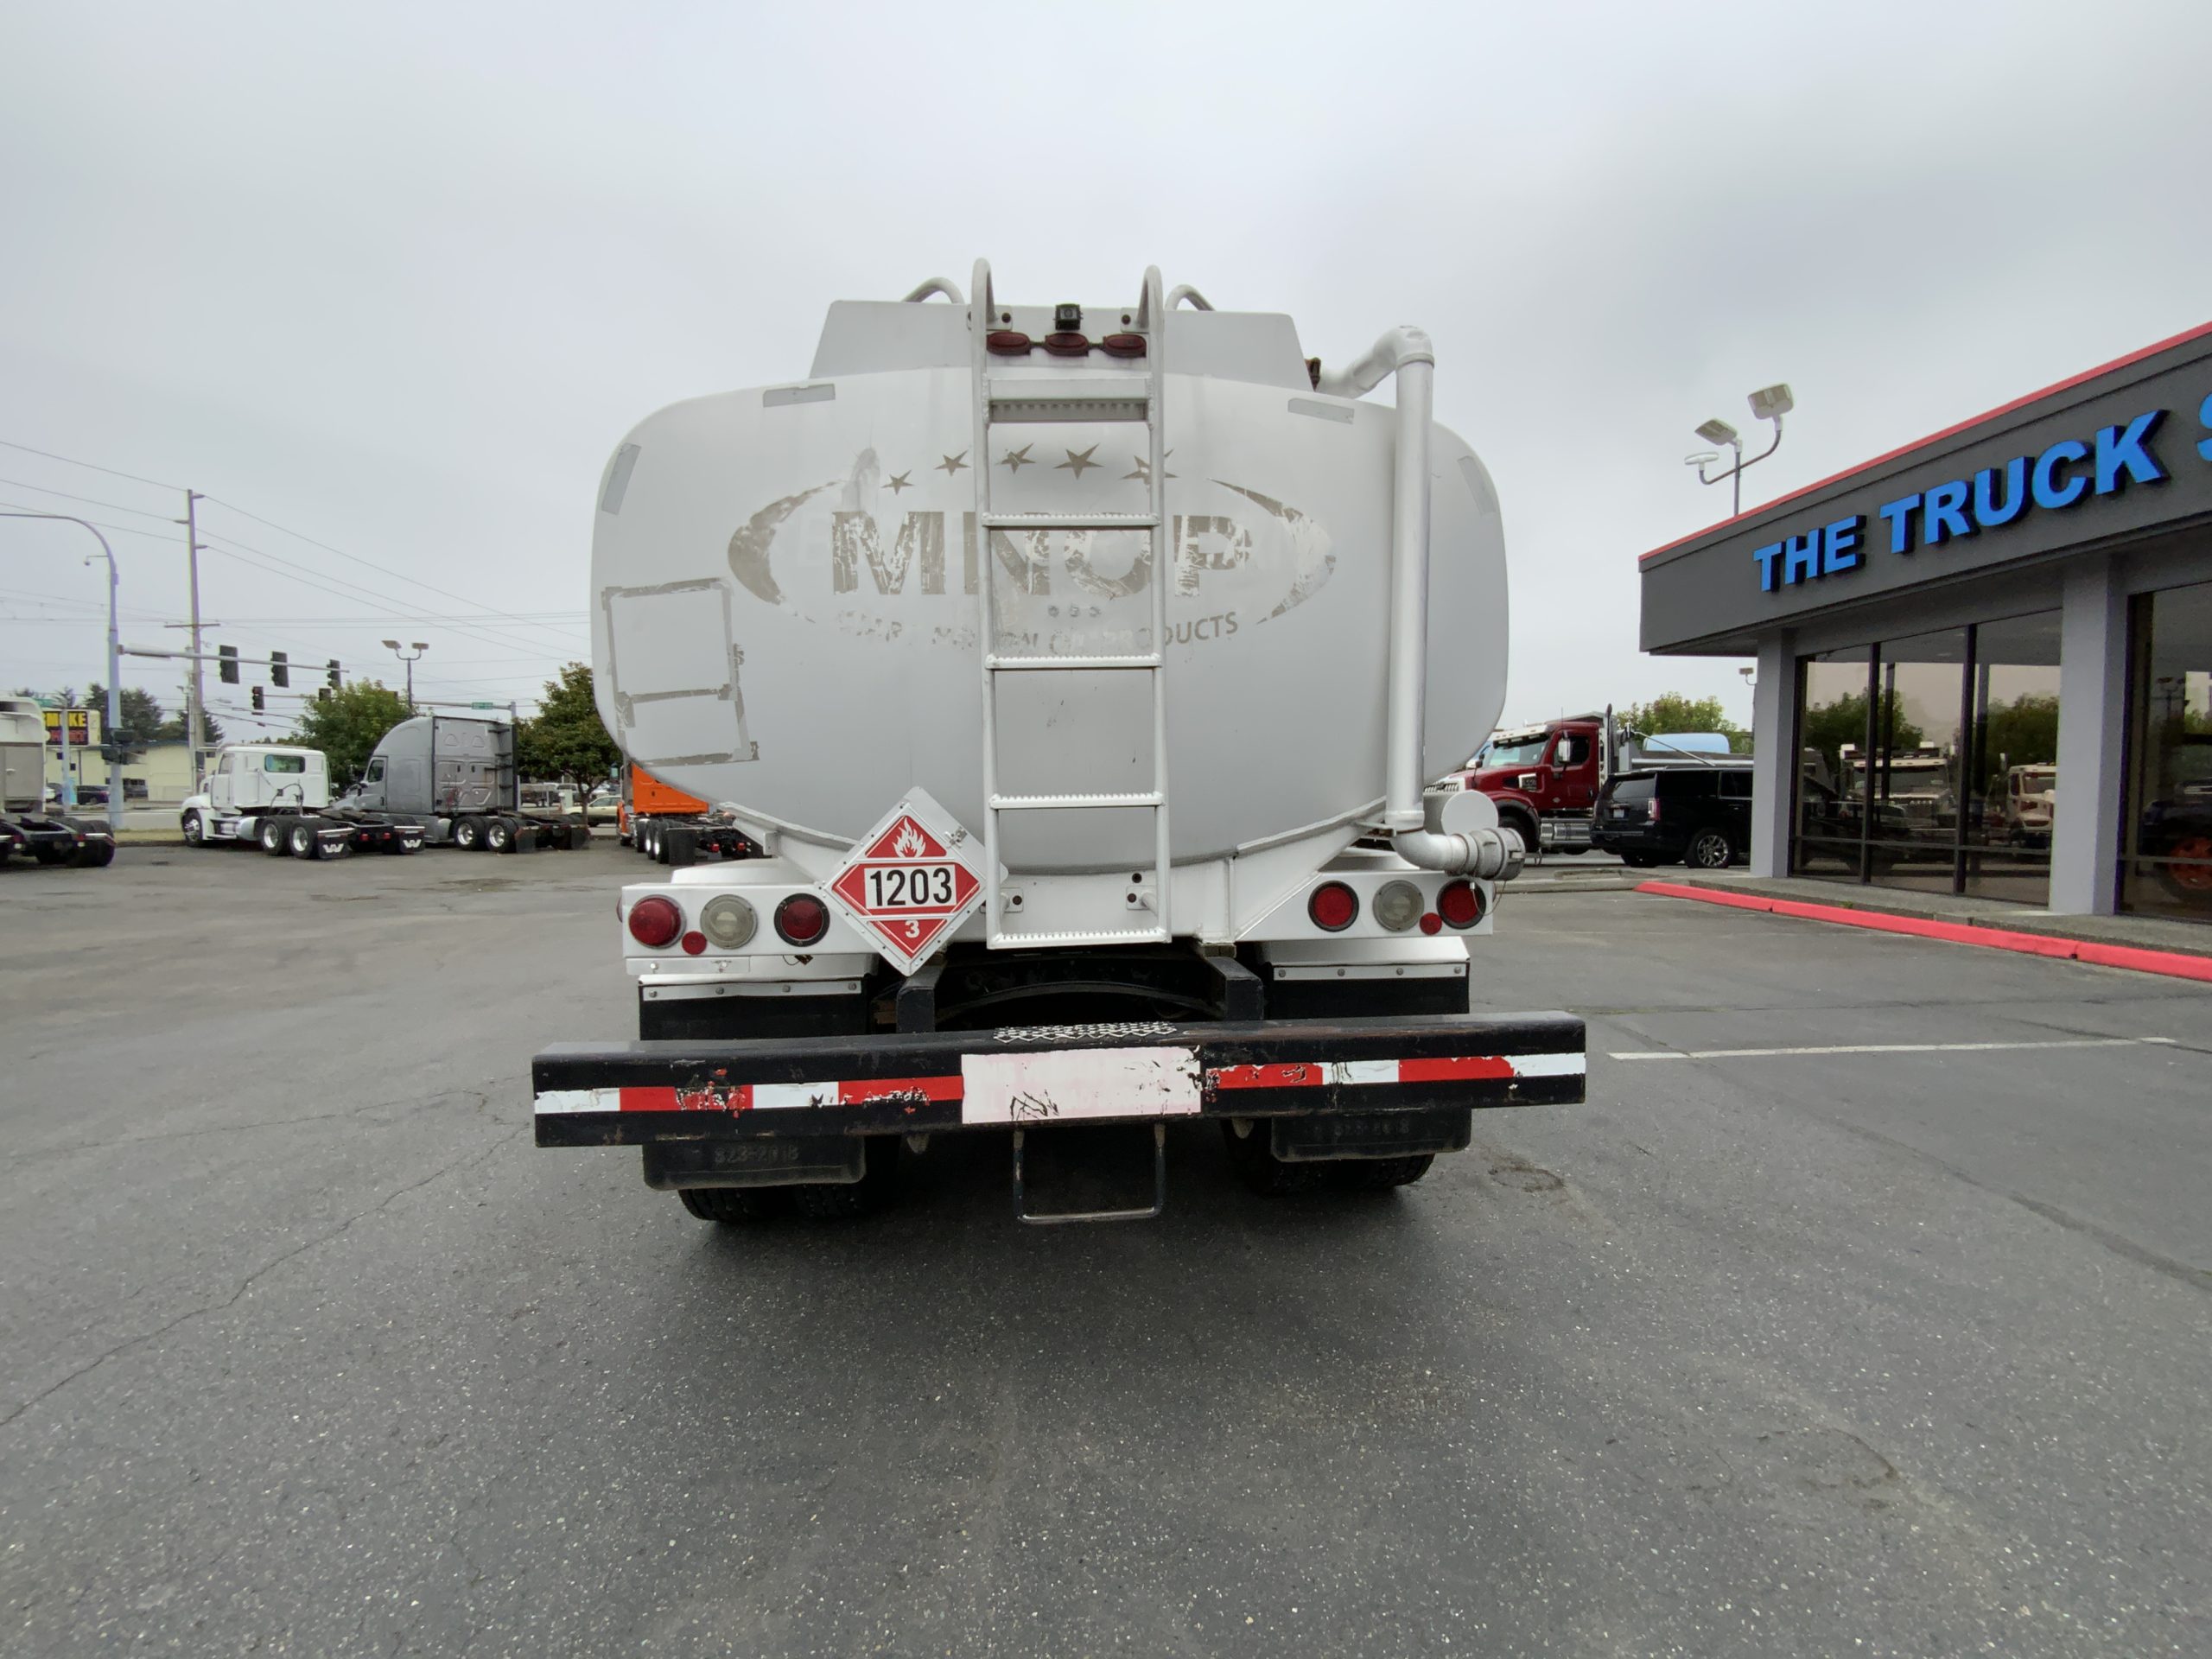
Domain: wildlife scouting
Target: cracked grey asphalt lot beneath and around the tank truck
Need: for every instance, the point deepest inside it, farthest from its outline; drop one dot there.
(304, 1348)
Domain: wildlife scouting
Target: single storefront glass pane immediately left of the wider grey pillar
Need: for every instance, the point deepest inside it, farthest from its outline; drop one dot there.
(2016, 749)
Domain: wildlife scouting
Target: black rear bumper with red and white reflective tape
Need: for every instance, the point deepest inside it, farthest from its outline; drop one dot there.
(638, 1094)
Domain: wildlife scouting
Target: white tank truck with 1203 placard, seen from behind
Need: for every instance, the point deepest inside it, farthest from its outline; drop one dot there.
(1078, 671)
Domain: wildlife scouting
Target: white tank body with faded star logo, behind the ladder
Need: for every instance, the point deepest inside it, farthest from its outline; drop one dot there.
(786, 605)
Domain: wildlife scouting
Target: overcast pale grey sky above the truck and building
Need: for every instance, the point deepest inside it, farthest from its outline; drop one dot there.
(399, 280)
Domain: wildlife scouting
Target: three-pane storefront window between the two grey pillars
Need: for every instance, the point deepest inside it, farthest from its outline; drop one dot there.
(1930, 762)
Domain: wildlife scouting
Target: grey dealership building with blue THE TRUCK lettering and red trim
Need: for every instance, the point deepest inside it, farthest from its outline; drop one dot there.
(1985, 660)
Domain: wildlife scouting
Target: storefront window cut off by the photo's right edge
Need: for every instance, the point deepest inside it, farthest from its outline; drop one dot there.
(2169, 831)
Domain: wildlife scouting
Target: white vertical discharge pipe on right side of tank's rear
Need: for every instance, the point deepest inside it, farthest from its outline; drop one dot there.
(1479, 853)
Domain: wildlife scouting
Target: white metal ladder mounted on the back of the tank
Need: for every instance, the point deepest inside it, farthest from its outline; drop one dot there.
(1072, 397)
